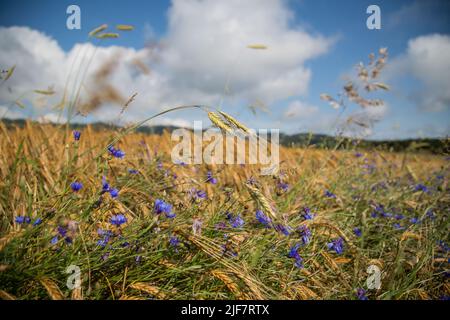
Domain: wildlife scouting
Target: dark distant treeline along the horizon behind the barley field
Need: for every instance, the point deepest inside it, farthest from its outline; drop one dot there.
(436, 146)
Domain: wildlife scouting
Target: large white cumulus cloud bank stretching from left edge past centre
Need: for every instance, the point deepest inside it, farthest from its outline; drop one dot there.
(202, 55)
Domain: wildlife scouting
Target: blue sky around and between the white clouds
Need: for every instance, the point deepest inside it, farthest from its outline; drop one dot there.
(341, 23)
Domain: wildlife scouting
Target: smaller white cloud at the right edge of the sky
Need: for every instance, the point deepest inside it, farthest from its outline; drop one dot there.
(426, 60)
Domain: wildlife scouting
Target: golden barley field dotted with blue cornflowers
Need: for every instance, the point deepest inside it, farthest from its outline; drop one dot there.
(134, 225)
